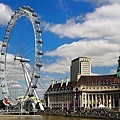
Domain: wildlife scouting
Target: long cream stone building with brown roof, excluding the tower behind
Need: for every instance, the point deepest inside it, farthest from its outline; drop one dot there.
(87, 92)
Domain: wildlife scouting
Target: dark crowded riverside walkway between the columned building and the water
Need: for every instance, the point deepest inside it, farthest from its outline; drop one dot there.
(97, 114)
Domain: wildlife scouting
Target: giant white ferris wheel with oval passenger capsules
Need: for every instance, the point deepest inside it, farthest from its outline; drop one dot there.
(21, 56)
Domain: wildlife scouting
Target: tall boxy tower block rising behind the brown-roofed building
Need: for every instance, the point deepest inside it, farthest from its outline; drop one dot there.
(80, 66)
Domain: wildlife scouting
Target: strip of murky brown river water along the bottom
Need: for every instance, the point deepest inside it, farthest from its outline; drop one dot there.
(42, 118)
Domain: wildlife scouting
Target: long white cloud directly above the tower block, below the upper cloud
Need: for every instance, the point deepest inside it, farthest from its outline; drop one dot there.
(84, 47)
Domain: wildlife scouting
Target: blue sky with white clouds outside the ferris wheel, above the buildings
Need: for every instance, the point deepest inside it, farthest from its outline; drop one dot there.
(73, 28)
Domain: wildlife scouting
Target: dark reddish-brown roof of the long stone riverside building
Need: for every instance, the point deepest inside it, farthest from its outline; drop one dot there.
(88, 80)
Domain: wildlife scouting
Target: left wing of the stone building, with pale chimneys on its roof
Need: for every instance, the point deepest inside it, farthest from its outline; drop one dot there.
(60, 95)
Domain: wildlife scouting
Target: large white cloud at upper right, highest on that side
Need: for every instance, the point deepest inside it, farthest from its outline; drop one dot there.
(103, 22)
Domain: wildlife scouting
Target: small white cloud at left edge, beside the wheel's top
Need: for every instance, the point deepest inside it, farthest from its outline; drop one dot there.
(5, 14)
